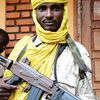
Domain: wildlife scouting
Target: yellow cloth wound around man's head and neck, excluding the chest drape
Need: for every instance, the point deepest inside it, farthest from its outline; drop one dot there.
(48, 36)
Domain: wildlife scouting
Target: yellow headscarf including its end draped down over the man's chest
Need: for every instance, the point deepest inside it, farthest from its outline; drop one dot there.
(42, 57)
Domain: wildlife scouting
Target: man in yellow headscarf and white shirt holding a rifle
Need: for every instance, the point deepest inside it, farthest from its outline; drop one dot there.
(51, 22)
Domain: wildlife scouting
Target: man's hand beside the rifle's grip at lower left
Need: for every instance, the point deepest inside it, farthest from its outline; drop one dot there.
(6, 89)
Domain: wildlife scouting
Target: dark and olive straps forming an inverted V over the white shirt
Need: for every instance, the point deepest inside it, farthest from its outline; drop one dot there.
(76, 54)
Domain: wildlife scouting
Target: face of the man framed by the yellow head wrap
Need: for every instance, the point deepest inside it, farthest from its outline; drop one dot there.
(50, 15)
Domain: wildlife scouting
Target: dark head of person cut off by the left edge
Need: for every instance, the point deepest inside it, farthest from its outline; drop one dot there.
(4, 39)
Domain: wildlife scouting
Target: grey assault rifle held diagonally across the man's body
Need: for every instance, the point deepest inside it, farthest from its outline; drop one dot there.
(22, 71)
